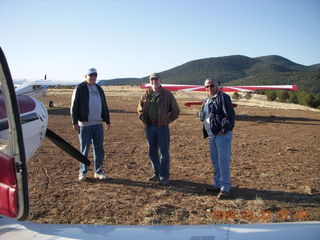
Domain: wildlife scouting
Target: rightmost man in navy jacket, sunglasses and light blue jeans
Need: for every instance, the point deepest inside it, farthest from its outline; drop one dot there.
(218, 118)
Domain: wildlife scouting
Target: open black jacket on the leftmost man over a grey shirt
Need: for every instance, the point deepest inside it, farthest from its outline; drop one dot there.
(80, 104)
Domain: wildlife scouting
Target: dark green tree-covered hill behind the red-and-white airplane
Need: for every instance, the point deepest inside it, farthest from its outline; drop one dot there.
(243, 70)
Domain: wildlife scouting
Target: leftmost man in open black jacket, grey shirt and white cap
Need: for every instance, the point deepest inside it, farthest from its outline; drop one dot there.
(88, 110)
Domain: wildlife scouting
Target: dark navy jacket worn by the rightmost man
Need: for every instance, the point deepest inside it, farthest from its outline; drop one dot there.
(221, 114)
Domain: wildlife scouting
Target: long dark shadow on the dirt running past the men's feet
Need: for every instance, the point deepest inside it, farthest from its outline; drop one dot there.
(200, 190)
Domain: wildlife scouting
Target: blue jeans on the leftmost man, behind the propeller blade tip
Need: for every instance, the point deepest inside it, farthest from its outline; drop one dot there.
(87, 135)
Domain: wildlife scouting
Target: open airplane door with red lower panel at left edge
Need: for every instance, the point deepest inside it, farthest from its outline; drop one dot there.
(14, 198)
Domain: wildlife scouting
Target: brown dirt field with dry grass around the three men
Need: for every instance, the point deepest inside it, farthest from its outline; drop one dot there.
(275, 169)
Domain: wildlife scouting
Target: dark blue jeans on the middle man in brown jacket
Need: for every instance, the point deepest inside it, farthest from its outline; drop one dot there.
(158, 149)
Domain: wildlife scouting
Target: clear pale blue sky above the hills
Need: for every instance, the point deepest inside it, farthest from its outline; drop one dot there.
(133, 38)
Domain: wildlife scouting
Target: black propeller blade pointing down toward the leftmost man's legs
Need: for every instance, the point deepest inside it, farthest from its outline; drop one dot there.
(65, 146)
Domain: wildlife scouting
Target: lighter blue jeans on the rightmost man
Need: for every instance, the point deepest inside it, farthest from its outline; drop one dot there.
(220, 150)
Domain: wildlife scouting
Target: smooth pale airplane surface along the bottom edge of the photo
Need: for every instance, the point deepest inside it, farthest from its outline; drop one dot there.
(13, 229)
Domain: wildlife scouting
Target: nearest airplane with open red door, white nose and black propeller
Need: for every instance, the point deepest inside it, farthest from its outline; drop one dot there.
(17, 145)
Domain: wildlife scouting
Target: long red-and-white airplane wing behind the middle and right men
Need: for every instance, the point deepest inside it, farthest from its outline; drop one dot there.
(200, 88)
